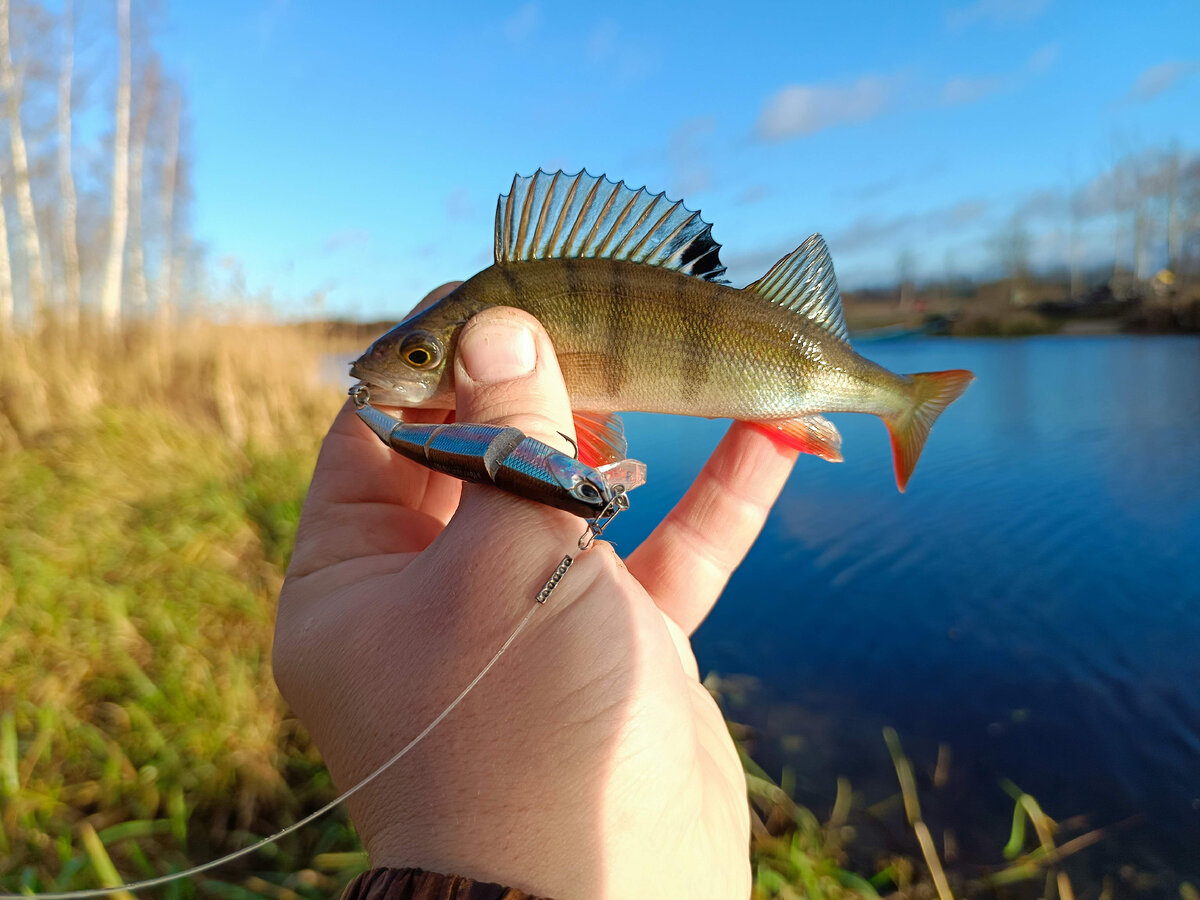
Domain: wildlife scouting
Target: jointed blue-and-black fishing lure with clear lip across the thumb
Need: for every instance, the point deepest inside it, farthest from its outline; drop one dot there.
(511, 460)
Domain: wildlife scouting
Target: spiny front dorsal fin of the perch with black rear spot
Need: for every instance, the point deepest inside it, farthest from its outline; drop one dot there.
(557, 217)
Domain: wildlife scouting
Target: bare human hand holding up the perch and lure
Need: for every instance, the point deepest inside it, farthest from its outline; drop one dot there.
(591, 763)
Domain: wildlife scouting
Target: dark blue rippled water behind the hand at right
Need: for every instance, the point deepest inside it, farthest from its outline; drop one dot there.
(1033, 601)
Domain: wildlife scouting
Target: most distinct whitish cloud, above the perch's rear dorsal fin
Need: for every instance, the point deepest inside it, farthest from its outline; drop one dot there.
(801, 110)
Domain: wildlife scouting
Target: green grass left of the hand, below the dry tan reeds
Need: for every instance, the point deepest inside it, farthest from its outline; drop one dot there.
(141, 559)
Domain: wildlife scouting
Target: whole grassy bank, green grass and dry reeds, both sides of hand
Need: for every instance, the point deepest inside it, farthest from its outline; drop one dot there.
(151, 488)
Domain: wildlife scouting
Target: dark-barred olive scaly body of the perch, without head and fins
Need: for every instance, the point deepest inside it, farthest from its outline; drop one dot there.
(668, 344)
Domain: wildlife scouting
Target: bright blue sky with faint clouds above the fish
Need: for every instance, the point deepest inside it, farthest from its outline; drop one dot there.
(352, 154)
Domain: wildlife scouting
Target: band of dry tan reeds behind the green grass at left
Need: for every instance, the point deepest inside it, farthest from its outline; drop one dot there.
(244, 381)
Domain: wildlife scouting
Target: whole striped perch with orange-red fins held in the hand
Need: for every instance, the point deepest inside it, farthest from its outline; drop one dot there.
(628, 286)
